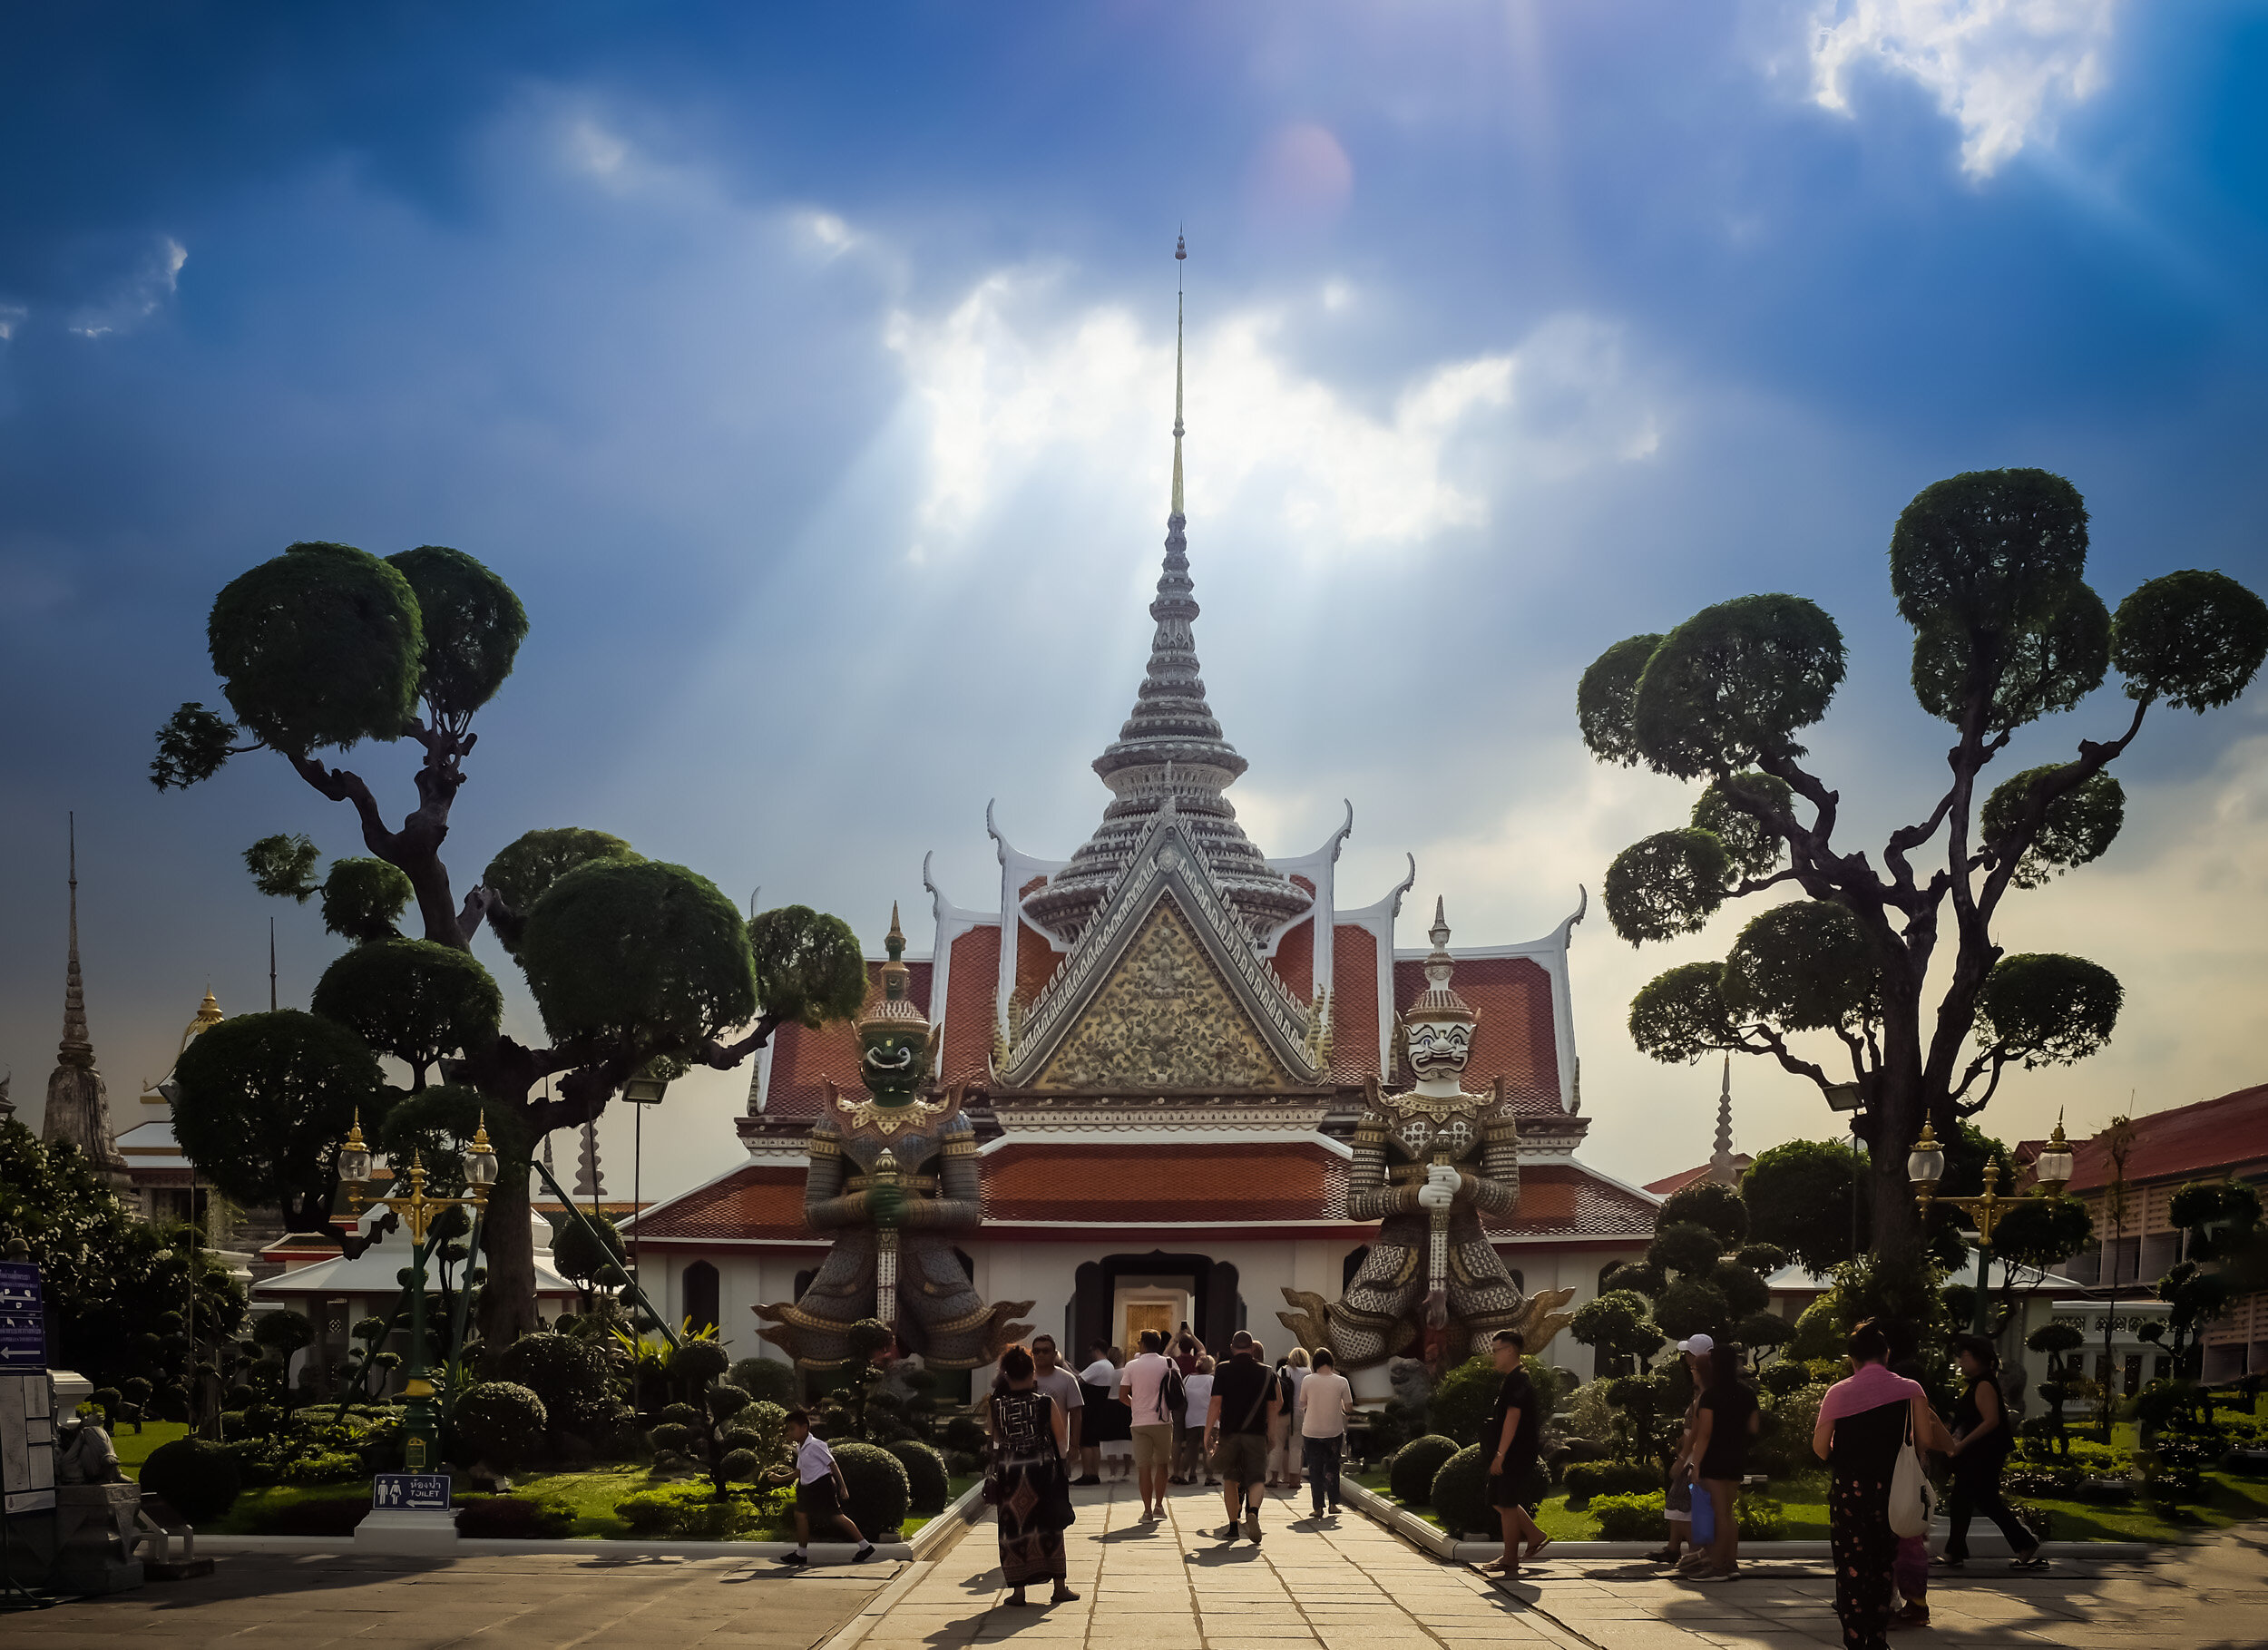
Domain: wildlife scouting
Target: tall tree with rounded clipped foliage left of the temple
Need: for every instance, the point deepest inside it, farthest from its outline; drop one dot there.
(634, 964)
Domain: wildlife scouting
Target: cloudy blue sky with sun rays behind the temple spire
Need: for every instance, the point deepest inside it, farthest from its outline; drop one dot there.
(811, 380)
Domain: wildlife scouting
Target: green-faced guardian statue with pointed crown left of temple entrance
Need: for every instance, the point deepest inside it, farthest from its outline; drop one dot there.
(895, 1177)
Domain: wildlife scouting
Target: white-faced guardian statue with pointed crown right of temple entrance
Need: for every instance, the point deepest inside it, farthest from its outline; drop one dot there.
(1428, 1166)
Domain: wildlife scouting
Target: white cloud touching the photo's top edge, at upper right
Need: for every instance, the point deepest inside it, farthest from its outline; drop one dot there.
(1997, 67)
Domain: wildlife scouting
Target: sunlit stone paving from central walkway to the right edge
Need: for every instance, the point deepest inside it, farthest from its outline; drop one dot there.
(1351, 1585)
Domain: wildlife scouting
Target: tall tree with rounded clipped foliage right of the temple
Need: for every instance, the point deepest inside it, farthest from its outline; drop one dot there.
(1990, 572)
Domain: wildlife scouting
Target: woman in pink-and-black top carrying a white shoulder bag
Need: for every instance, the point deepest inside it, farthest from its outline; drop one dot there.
(1863, 1429)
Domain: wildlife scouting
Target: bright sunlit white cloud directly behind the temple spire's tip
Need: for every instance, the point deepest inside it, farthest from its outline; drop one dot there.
(1006, 386)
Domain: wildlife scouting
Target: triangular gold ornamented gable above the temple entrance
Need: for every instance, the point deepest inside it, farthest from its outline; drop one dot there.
(1165, 994)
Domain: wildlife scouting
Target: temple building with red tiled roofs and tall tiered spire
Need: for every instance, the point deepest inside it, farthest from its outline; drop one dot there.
(1165, 1044)
